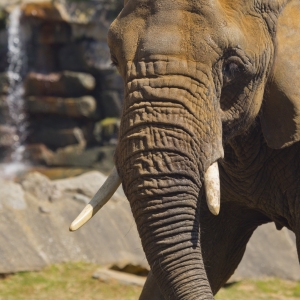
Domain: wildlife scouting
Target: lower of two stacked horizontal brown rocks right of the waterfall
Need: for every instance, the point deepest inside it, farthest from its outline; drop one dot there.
(72, 107)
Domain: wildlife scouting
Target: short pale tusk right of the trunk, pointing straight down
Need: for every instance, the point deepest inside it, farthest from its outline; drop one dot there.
(212, 188)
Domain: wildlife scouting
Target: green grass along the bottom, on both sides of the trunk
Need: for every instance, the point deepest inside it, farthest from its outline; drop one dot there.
(74, 281)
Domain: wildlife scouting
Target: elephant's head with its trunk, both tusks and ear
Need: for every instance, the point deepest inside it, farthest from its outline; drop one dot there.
(195, 75)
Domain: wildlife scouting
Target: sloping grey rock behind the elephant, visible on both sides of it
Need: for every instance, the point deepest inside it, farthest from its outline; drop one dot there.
(40, 230)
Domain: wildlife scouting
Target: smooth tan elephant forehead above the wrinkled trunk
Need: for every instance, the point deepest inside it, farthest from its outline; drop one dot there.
(191, 30)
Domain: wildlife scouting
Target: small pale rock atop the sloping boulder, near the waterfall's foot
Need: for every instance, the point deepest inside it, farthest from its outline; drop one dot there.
(40, 186)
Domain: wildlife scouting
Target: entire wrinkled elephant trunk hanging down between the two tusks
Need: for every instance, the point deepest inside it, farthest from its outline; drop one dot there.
(163, 153)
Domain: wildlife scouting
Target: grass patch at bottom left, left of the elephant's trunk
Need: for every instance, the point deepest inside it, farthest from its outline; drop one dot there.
(70, 281)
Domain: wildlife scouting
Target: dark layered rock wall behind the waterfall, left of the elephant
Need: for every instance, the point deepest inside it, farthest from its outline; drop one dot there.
(73, 96)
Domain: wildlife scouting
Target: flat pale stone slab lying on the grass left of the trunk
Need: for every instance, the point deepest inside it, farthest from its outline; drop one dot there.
(106, 275)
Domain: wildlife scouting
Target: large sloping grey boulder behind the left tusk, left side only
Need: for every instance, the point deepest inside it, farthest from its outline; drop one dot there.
(38, 235)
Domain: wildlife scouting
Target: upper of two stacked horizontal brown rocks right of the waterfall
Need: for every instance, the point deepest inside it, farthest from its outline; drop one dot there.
(64, 84)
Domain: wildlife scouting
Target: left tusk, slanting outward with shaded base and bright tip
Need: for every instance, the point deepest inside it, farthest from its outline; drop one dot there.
(99, 200)
